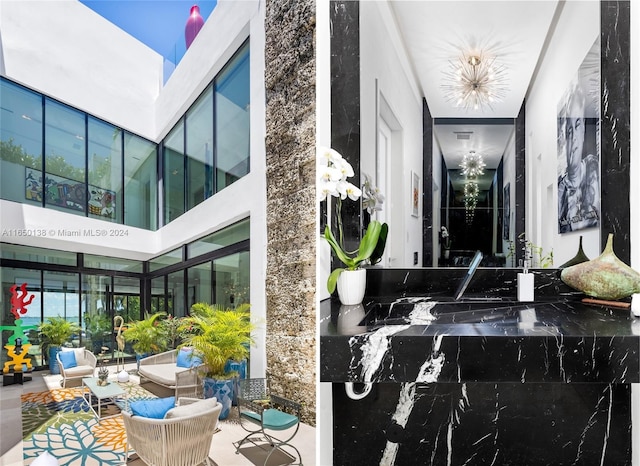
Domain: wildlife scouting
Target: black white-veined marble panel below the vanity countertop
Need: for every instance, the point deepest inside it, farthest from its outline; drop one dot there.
(479, 423)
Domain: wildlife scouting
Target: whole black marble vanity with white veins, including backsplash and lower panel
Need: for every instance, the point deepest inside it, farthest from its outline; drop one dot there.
(503, 383)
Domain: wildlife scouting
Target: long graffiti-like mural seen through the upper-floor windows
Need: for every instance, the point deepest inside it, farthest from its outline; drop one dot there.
(69, 194)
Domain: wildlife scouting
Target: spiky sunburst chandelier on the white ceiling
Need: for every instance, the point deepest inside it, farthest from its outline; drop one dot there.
(475, 81)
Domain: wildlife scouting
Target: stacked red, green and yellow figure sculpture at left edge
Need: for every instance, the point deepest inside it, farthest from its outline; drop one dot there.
(18, 344)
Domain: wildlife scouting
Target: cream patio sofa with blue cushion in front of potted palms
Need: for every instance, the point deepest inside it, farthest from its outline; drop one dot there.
(168, 370)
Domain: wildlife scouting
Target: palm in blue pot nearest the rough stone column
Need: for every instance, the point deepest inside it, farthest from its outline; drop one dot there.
(219, 335)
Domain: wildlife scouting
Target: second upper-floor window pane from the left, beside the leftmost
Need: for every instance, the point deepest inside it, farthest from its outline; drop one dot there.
(65, 158)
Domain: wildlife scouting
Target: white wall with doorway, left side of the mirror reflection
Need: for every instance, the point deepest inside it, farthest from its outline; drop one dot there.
(383, 59)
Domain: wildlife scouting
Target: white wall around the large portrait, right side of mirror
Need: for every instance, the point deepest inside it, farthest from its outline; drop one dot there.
(566, 51)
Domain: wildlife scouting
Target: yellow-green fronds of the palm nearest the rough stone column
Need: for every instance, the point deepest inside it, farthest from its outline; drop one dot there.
(218, 334)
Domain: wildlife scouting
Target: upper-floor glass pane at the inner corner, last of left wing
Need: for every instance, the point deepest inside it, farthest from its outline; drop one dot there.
(140, 178)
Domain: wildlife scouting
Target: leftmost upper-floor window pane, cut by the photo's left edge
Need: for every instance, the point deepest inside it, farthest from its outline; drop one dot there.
(20, 144)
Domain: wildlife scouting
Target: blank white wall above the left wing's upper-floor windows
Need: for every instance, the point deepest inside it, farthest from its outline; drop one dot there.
(67, 51)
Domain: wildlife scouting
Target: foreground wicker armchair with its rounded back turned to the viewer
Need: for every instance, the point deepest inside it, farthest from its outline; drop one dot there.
(183, 440)
